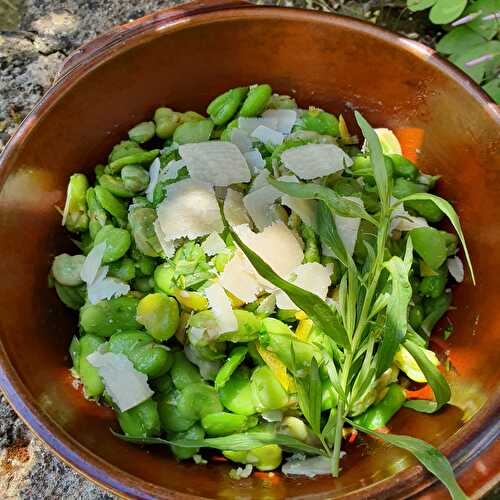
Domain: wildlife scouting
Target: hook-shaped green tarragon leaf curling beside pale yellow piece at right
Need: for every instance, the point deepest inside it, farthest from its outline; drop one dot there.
(438, 383)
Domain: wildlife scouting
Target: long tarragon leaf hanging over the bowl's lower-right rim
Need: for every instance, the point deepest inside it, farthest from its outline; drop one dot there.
(431, 458)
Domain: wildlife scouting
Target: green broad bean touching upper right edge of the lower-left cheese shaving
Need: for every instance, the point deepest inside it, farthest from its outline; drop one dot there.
(147, 356)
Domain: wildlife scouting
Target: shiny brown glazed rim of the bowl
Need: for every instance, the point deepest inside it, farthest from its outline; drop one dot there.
(413, 479)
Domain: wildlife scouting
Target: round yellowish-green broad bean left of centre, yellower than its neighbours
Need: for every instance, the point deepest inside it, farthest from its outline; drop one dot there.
(159, 314)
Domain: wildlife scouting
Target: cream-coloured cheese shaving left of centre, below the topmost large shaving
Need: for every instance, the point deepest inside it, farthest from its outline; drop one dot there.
(189, 210)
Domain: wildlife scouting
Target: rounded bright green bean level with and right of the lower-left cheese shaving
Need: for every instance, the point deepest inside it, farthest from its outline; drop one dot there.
(197, 400)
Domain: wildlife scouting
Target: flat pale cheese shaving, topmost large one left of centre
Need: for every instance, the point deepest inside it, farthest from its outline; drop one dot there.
(218, 163)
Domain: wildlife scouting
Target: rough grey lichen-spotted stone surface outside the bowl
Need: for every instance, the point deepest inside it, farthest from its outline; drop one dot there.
(35, 37)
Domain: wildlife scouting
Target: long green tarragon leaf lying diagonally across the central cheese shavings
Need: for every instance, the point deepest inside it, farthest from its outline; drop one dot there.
(316, 308)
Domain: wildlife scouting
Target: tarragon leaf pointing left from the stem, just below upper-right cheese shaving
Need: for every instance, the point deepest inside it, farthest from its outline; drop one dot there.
(338, 204)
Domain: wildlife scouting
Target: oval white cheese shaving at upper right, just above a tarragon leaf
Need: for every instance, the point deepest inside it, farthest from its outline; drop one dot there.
(315, 160)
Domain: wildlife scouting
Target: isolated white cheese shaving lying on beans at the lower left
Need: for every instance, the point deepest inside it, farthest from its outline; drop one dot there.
(126, 386)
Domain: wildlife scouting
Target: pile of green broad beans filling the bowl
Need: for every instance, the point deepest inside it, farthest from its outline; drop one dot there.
(206, 388)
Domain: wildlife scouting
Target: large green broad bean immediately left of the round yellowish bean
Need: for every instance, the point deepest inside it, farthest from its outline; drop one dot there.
(110, 316)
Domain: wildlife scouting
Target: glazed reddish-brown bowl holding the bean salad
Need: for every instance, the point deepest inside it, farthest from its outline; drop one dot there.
(183, 57)
